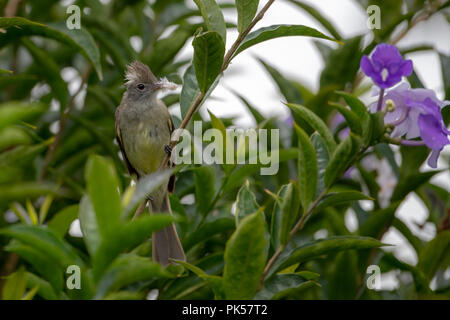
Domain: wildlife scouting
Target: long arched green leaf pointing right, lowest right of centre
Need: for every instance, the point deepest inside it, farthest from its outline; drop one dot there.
(317, 248)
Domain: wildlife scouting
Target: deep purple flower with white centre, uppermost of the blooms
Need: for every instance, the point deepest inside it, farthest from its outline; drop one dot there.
(386, 66)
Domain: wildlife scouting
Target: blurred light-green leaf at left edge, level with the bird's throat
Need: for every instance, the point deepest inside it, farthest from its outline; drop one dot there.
(14, 112)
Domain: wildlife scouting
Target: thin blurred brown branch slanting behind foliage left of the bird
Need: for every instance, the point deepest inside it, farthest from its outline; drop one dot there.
(62, 123)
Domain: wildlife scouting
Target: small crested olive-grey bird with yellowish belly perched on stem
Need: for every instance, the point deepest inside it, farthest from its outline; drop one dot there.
(143, 130)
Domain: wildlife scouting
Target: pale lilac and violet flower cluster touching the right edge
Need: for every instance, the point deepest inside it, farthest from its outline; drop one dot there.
(418, 113)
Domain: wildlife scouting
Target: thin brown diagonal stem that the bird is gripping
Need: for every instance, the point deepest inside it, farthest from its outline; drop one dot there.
(227, 59)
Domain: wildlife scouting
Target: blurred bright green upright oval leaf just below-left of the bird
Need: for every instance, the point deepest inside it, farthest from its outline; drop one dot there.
(103, 189)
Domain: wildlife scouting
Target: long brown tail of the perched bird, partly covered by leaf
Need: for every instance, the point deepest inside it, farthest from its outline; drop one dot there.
(165, 243)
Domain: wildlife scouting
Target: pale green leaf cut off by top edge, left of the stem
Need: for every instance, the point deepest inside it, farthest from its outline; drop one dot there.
(213, 17)
